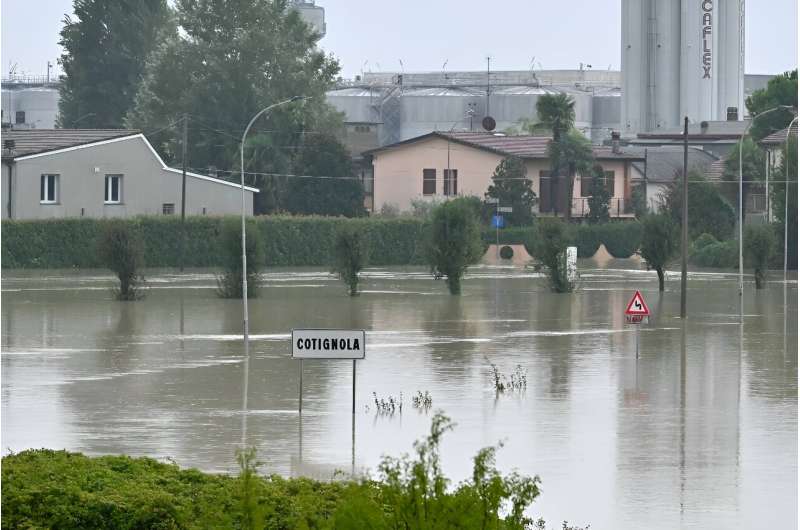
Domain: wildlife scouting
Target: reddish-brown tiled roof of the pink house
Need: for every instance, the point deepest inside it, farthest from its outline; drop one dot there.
(523, 146)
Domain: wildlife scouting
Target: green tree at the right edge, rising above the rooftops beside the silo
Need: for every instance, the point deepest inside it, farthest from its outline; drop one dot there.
(781, 90)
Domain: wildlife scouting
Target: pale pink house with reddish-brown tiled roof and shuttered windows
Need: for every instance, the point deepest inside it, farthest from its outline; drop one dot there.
(440, 165)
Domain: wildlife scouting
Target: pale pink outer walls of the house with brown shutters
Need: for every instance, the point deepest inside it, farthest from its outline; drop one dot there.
(398, 173)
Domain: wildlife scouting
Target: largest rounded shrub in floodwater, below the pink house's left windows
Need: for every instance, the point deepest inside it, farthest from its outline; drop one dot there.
(453, 241)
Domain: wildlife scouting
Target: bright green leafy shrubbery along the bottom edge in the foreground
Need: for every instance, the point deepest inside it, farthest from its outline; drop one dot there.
(57, 489)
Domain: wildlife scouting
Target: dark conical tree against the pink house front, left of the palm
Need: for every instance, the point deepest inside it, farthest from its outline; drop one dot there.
(512, 187)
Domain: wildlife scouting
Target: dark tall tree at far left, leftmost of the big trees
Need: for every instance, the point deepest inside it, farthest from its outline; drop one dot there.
(106, 45)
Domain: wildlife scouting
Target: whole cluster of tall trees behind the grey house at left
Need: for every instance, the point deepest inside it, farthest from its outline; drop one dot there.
(145, 64)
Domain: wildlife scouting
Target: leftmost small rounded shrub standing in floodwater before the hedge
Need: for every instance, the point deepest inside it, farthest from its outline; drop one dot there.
(120, 249)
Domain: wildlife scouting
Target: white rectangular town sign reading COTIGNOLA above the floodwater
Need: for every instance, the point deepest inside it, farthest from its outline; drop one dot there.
(328, 344)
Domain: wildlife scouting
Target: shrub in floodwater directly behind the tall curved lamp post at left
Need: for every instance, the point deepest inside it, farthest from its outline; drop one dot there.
(229, 283)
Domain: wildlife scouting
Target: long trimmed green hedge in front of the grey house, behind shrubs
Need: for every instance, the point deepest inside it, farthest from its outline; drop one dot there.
(289, 241)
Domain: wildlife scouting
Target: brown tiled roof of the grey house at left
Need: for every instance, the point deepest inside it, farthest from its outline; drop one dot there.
(35, 141)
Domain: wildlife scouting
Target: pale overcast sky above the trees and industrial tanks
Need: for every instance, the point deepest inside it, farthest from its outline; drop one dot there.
(377, 34)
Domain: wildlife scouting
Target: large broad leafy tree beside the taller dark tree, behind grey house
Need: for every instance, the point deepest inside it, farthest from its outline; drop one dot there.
(227, 61)
